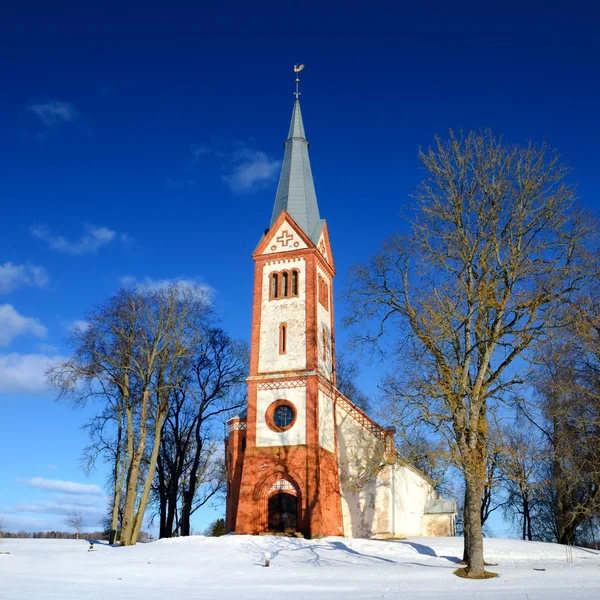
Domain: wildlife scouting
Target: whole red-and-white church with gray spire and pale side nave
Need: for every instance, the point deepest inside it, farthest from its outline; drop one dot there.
(302, 458)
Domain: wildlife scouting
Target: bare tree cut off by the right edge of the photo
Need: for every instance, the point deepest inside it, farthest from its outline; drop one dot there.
(568, 388)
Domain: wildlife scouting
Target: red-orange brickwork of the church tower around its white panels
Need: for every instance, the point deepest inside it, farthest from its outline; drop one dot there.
(308, 471)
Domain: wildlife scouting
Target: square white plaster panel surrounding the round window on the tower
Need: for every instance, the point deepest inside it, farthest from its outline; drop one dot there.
(294, 436)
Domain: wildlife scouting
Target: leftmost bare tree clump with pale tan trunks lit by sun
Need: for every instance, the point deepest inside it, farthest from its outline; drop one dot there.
(136, 351)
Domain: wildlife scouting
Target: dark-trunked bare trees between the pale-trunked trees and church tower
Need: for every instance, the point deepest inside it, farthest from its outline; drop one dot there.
(190, 469)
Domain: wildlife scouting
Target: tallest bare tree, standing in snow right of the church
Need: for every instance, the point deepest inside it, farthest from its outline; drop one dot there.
(496, 245)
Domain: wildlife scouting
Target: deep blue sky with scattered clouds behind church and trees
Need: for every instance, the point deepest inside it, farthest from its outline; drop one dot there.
(143, 143)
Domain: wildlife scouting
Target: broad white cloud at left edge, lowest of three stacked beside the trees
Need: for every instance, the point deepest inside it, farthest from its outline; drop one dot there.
(24, 373)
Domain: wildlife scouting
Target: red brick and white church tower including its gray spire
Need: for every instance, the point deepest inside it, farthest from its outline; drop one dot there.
(281, 456)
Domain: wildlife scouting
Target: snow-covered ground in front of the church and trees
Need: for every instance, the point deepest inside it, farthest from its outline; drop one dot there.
(232, 567)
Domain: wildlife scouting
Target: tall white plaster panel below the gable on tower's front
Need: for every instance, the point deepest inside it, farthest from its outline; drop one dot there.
(291, 311)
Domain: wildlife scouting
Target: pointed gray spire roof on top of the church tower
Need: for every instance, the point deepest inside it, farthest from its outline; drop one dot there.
(296, 190)
